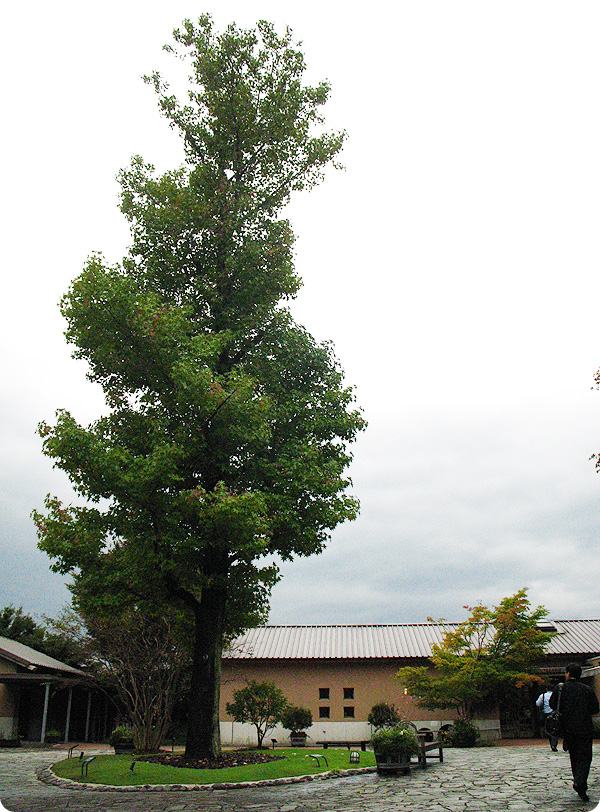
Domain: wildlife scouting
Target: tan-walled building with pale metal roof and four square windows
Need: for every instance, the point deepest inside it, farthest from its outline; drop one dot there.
(340, 671)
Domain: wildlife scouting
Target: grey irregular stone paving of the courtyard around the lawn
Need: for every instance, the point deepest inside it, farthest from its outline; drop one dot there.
(493, 779)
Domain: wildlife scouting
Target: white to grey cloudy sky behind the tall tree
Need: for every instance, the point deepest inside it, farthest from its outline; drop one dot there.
(454, 264)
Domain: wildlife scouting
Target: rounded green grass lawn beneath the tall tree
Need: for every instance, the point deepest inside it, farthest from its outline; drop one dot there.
(115, 770)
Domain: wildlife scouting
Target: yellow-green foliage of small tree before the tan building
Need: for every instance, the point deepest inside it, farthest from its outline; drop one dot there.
(491, 652)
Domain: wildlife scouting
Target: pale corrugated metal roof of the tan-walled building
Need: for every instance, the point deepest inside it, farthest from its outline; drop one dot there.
(395, 641)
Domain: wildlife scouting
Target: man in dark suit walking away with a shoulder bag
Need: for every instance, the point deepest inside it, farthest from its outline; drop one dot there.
(578, 703)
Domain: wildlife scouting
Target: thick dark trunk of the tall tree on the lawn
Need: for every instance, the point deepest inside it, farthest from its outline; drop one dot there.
(203, 734)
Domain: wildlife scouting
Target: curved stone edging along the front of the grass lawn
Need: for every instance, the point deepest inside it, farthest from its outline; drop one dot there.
(48, 777)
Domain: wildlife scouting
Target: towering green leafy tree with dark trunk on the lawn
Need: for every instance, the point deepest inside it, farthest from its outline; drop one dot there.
(227, 432)
